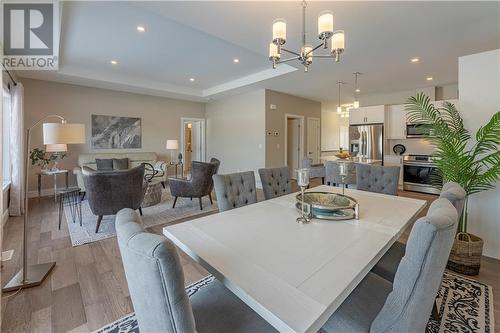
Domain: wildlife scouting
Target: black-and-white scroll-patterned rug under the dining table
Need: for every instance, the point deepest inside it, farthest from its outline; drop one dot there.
(465, 305)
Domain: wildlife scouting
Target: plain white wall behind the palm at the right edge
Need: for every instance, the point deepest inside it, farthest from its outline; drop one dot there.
(479, 85)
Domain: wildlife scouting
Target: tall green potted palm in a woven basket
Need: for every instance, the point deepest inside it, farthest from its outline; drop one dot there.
(474, 164)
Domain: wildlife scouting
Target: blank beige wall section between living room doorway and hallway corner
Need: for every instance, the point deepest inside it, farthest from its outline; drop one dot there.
(236, 132)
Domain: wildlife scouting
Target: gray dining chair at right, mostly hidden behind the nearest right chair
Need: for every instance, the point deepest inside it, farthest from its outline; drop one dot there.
(388, 264)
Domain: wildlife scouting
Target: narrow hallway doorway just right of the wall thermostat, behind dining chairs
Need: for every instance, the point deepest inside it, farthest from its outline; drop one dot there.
(294, 142)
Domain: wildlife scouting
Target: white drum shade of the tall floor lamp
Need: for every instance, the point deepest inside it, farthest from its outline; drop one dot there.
(56, 133)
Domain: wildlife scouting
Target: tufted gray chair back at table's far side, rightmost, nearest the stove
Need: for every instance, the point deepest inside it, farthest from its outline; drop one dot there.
(376, 178)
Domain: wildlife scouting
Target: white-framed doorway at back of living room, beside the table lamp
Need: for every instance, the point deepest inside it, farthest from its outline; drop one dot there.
(192, 141)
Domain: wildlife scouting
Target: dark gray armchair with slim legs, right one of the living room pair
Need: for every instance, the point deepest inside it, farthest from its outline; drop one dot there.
(198, 186)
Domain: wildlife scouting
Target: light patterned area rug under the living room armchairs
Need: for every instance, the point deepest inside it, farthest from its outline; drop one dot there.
(162, 213)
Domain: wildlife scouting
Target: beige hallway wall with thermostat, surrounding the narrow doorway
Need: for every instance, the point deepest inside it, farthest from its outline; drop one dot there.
(275, 122)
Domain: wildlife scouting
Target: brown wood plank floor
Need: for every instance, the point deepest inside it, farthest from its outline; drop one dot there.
(87, 288)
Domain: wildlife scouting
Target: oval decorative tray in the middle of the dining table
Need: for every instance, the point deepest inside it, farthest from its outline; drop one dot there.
(328, 206)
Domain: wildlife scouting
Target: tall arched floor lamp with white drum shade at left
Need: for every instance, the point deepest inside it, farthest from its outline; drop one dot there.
(53, 133)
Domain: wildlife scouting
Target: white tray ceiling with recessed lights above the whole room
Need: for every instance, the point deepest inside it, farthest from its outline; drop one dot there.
(200, 40)
